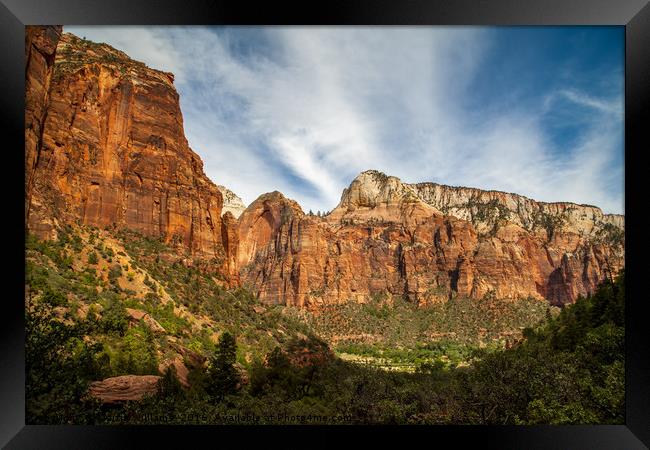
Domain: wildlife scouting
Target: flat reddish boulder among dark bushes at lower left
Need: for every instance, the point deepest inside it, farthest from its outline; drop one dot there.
(124, 388)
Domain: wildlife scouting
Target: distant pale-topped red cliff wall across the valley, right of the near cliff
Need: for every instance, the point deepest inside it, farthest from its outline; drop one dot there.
(383, 239)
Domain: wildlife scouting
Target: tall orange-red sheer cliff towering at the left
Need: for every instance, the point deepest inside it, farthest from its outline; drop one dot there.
(113, 151)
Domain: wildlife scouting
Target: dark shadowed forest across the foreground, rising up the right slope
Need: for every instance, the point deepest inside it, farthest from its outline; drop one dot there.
(570, 371)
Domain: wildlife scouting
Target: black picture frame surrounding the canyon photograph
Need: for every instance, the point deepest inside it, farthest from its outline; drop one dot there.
(634, 15)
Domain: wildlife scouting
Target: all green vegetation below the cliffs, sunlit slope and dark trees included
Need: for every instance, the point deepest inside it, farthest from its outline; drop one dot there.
(261, 364)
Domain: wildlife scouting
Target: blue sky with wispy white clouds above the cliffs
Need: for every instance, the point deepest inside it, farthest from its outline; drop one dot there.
(532, 110)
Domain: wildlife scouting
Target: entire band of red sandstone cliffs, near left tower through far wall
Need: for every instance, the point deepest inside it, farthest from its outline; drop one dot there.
(105, 146)
